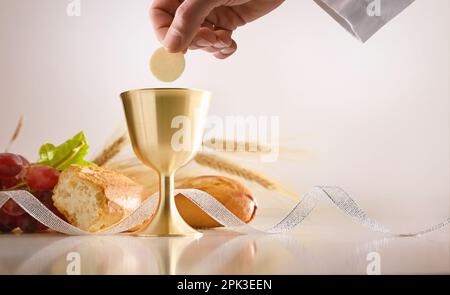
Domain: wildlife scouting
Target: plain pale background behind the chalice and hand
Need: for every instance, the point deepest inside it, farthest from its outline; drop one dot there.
(372, 118)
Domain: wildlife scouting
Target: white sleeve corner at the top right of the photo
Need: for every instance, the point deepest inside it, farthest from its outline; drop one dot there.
(363, 18)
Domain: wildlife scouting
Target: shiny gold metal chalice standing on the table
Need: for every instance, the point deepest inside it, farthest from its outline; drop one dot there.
(166, 130)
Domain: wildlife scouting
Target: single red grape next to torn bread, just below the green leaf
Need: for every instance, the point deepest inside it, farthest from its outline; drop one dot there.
(42, 178)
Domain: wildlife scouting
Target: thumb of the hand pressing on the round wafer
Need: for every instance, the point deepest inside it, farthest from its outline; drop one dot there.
(187, 21)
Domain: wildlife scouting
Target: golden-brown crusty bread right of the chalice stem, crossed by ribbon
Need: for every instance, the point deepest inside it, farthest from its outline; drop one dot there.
(231, 193)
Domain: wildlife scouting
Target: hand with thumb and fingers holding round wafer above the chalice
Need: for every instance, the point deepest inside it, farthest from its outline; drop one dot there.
(199, 25)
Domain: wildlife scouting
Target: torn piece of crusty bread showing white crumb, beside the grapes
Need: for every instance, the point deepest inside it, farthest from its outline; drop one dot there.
(93, 198)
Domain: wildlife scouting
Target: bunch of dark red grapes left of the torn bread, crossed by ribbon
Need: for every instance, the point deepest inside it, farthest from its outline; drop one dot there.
(16, 173)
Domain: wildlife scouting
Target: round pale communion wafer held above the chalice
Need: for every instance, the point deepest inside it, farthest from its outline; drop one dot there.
(166, 66)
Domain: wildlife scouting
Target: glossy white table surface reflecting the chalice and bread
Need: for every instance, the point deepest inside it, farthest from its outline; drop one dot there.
(318, 246)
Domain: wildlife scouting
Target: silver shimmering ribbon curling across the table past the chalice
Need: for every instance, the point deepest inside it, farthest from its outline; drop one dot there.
(217, 211)
